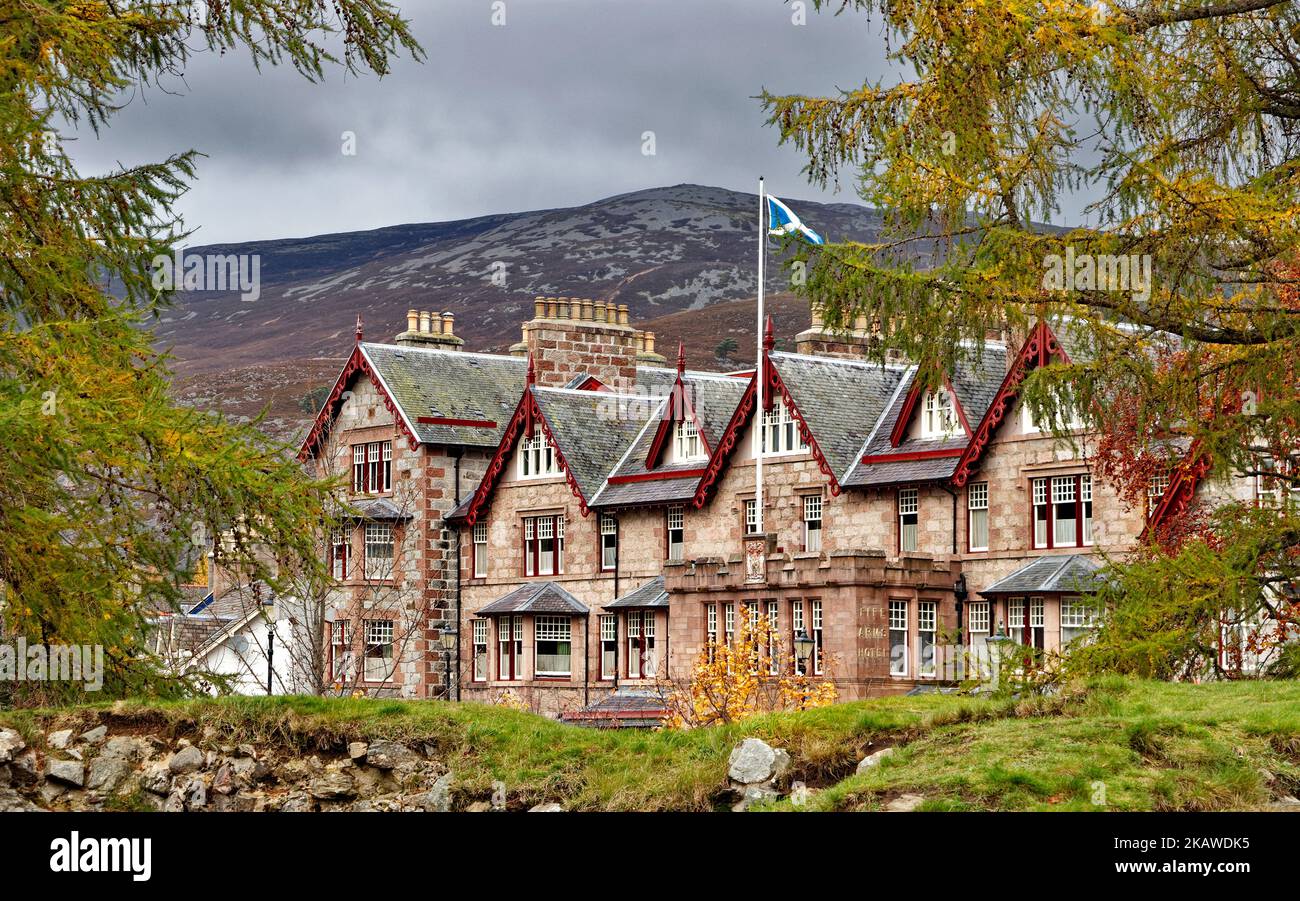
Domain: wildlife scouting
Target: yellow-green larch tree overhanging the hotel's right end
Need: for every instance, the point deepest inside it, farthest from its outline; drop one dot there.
(1176, 123)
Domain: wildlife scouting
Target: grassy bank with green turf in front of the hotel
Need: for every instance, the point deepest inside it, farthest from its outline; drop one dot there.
(1151, 746)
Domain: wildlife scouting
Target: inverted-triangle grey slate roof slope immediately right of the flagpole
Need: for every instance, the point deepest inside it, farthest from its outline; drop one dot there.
(842, 401)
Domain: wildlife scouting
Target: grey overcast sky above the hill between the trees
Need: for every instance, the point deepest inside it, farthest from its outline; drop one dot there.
(547, 111)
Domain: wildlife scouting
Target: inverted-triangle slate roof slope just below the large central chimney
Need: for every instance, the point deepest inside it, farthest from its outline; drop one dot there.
(592, 430)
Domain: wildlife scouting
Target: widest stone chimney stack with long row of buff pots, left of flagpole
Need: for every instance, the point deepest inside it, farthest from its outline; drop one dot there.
(571, 336)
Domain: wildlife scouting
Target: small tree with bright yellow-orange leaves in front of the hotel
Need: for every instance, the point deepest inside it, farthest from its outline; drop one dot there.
(753, 674)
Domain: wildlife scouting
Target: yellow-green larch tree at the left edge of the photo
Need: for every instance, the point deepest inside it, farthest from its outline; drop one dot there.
(110, 491)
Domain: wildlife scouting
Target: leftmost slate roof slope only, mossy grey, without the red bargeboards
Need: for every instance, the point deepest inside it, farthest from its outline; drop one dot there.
(450, 385)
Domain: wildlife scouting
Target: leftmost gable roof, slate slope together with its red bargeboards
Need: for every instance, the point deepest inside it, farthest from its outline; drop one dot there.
(435, 396)
